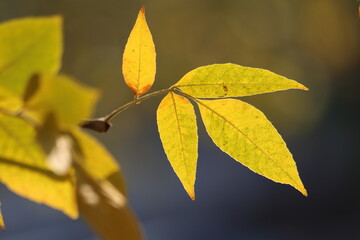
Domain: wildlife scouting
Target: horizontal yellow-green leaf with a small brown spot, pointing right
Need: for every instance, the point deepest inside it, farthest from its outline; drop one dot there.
(231, 80)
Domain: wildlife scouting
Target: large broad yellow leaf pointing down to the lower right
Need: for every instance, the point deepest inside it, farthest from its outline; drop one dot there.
(243, 132)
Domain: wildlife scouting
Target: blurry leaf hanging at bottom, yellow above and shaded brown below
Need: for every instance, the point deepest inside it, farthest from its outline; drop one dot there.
(101, 191)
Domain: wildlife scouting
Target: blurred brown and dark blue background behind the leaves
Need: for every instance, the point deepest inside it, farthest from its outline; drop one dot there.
(316, 42)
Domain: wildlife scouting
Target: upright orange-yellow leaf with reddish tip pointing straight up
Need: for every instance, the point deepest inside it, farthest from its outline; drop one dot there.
(139, 59)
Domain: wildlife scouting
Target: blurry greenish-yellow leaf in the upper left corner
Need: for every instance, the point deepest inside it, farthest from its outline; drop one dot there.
(28, 46)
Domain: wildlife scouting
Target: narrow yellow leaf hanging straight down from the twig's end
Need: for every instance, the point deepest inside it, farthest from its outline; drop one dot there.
(176, 121)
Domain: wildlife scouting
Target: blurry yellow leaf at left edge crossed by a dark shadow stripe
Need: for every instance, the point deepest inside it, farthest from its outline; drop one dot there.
(24, 171)
